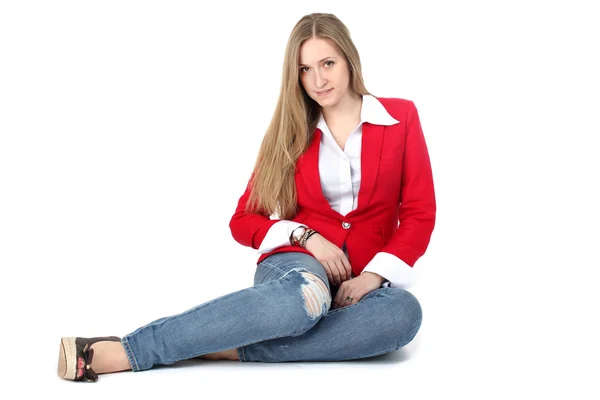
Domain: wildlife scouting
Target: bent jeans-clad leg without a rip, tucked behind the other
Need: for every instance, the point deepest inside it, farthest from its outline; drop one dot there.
(382, 321)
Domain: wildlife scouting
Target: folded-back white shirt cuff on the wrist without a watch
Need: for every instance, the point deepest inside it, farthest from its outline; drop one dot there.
(396, 272)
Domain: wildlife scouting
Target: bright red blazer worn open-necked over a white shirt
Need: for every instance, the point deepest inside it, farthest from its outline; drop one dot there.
(396, 201)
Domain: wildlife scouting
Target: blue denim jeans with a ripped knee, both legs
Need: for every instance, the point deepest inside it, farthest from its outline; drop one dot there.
(285, 316)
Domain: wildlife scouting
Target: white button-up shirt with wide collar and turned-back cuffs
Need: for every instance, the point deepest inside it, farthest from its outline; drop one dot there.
(340, 174)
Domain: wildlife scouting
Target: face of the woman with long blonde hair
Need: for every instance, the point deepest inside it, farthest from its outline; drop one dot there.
(324, 72)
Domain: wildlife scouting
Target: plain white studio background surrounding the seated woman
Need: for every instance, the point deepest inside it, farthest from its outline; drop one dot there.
(129, 130)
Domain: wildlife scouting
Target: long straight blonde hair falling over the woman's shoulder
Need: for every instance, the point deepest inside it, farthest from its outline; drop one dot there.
(295, 118)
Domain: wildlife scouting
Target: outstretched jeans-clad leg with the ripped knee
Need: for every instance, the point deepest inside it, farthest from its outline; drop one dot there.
(290, 302)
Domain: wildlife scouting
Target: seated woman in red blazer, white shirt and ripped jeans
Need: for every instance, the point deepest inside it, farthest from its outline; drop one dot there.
(340, 168)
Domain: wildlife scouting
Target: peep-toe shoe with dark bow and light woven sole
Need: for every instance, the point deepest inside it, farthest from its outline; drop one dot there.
(75, 357)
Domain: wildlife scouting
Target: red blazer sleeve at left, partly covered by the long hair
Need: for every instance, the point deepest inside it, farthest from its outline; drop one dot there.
(249, 229)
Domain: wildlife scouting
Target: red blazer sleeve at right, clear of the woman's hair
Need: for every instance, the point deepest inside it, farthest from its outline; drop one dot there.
(417, 209)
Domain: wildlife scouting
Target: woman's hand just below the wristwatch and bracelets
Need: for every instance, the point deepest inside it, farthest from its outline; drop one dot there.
(331, 257)
